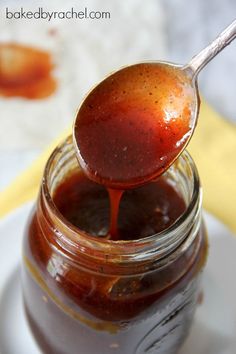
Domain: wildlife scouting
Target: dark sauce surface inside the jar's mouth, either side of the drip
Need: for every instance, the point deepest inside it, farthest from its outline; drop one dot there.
(143, 212)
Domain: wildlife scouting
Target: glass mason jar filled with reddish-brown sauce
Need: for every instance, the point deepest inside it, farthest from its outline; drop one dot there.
(89, 295)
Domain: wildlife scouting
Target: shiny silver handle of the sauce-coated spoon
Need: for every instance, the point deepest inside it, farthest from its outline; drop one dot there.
(200, 60)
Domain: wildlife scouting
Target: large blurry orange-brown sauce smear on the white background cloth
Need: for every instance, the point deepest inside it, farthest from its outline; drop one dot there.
(25, 72)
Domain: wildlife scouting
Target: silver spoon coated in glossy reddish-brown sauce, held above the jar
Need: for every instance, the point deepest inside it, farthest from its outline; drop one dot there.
(136, 122)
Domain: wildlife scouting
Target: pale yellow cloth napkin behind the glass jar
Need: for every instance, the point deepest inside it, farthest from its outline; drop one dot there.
(213, 148)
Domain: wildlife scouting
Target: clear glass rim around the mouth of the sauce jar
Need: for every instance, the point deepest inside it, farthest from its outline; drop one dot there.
(79, 240)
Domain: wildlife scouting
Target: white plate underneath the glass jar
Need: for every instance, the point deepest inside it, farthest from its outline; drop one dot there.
(214, 329)
